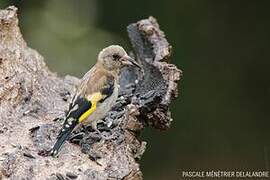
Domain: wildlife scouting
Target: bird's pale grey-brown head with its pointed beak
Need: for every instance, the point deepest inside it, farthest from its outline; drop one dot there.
(114, 57)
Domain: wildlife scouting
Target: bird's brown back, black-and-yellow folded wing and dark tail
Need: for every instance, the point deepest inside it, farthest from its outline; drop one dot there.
(91, 91)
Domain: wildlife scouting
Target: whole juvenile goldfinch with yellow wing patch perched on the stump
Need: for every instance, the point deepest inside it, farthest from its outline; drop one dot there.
(96, 93)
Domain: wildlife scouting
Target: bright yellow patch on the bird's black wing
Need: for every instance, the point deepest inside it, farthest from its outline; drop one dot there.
(94, 99)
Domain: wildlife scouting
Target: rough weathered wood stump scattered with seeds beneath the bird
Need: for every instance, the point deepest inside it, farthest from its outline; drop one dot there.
(31, 97)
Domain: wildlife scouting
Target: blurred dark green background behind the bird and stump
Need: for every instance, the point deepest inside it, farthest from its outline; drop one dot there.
(221, 119)
